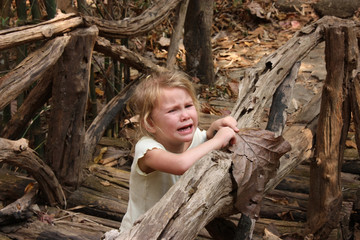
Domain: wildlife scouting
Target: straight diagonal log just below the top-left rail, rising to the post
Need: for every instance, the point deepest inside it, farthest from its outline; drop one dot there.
(31, 69)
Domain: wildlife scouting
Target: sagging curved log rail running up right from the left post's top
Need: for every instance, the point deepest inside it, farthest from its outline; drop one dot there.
(138, 25)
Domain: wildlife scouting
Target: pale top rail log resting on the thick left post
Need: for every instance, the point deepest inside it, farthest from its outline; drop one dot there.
(62, 23)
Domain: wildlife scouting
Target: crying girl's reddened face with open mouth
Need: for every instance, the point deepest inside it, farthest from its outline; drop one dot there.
(174, 119)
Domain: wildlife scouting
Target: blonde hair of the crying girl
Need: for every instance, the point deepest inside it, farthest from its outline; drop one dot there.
(148, 91)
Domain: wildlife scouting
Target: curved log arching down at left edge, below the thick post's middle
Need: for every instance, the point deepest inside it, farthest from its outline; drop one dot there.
(18, 154)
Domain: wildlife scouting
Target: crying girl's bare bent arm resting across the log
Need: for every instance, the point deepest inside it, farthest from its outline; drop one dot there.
(161, 160)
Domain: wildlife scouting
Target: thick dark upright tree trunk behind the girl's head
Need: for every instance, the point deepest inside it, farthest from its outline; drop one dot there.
(197, 41)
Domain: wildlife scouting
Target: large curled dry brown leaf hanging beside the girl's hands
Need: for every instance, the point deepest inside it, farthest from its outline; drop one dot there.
(256, 157)
